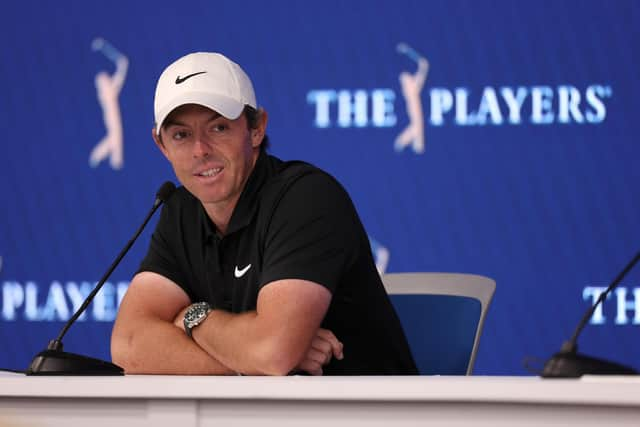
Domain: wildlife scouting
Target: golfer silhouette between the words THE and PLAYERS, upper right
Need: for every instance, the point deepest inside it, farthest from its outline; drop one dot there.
(412, 84)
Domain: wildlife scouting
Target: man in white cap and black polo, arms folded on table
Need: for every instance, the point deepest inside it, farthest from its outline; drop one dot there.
(256, 266)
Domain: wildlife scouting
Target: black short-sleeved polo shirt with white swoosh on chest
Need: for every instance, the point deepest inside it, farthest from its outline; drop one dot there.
(292, 221)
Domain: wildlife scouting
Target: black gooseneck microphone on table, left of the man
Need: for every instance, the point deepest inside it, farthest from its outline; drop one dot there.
(54, 361)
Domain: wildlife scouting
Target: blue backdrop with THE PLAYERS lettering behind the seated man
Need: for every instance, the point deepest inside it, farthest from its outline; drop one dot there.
(528, 173)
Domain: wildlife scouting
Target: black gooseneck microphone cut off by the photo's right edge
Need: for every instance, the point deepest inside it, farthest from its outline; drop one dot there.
(568, 363)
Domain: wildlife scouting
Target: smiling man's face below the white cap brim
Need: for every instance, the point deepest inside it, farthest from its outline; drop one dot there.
(211, 155)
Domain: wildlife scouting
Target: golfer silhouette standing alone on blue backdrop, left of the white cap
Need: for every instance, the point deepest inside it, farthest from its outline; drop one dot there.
(108, 87)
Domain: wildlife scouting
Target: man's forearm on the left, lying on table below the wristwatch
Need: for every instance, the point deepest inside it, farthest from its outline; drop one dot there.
(158, 347)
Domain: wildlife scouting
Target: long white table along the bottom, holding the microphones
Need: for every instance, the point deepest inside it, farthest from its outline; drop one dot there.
(180, 401)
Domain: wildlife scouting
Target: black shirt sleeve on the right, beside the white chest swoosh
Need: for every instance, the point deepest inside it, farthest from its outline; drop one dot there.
(312, 234)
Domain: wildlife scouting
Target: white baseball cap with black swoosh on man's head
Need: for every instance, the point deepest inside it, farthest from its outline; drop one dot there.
(208, 79)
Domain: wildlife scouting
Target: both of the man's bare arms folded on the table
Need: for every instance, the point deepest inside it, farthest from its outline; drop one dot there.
(148, 335)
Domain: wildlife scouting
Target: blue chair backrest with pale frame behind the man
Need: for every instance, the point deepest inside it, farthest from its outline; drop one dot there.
(442, 315)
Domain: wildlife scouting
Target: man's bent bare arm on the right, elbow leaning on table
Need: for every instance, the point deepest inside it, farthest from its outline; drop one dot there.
(277, 337)
